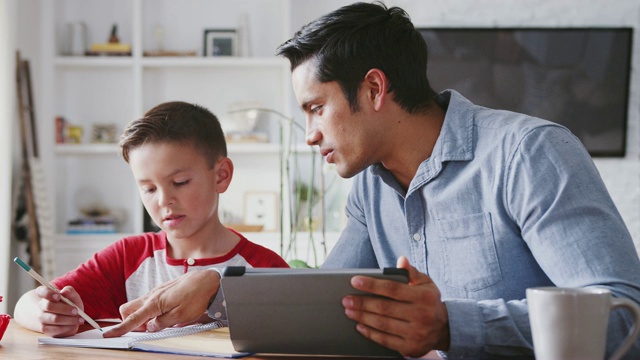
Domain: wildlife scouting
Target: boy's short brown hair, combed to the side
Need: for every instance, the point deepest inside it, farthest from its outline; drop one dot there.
(177, 122)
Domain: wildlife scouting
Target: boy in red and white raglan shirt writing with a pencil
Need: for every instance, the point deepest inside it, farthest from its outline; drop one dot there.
(177, 154)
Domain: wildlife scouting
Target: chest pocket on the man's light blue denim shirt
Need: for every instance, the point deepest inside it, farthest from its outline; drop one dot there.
(470, 258)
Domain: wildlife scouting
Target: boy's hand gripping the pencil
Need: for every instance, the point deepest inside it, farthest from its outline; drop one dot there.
(57, 318)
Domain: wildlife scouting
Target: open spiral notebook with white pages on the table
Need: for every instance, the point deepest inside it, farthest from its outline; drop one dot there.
(210, 339)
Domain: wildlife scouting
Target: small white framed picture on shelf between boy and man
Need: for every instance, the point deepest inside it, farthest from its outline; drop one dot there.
(261, 208)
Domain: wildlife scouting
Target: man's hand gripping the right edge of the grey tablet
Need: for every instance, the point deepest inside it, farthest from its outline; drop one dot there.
(413, 320)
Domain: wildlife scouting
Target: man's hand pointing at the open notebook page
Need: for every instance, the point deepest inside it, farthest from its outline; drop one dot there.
(177, 302)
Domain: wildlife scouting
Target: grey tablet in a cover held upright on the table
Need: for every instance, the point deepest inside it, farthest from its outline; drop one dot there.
(297, 311)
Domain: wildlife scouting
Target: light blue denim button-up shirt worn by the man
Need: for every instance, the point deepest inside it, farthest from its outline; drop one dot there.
(505, 202)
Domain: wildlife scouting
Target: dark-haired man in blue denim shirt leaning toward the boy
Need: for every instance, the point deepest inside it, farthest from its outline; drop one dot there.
(483, 203)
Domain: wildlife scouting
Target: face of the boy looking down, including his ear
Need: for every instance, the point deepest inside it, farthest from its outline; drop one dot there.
(179, 189)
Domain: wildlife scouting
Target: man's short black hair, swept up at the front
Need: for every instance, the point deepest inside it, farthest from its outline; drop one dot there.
(346, 43)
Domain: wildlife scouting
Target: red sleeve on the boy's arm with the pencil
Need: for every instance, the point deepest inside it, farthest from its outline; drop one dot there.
(100, 281)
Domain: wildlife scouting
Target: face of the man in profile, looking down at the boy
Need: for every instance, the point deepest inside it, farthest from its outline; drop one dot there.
(344, 138)
